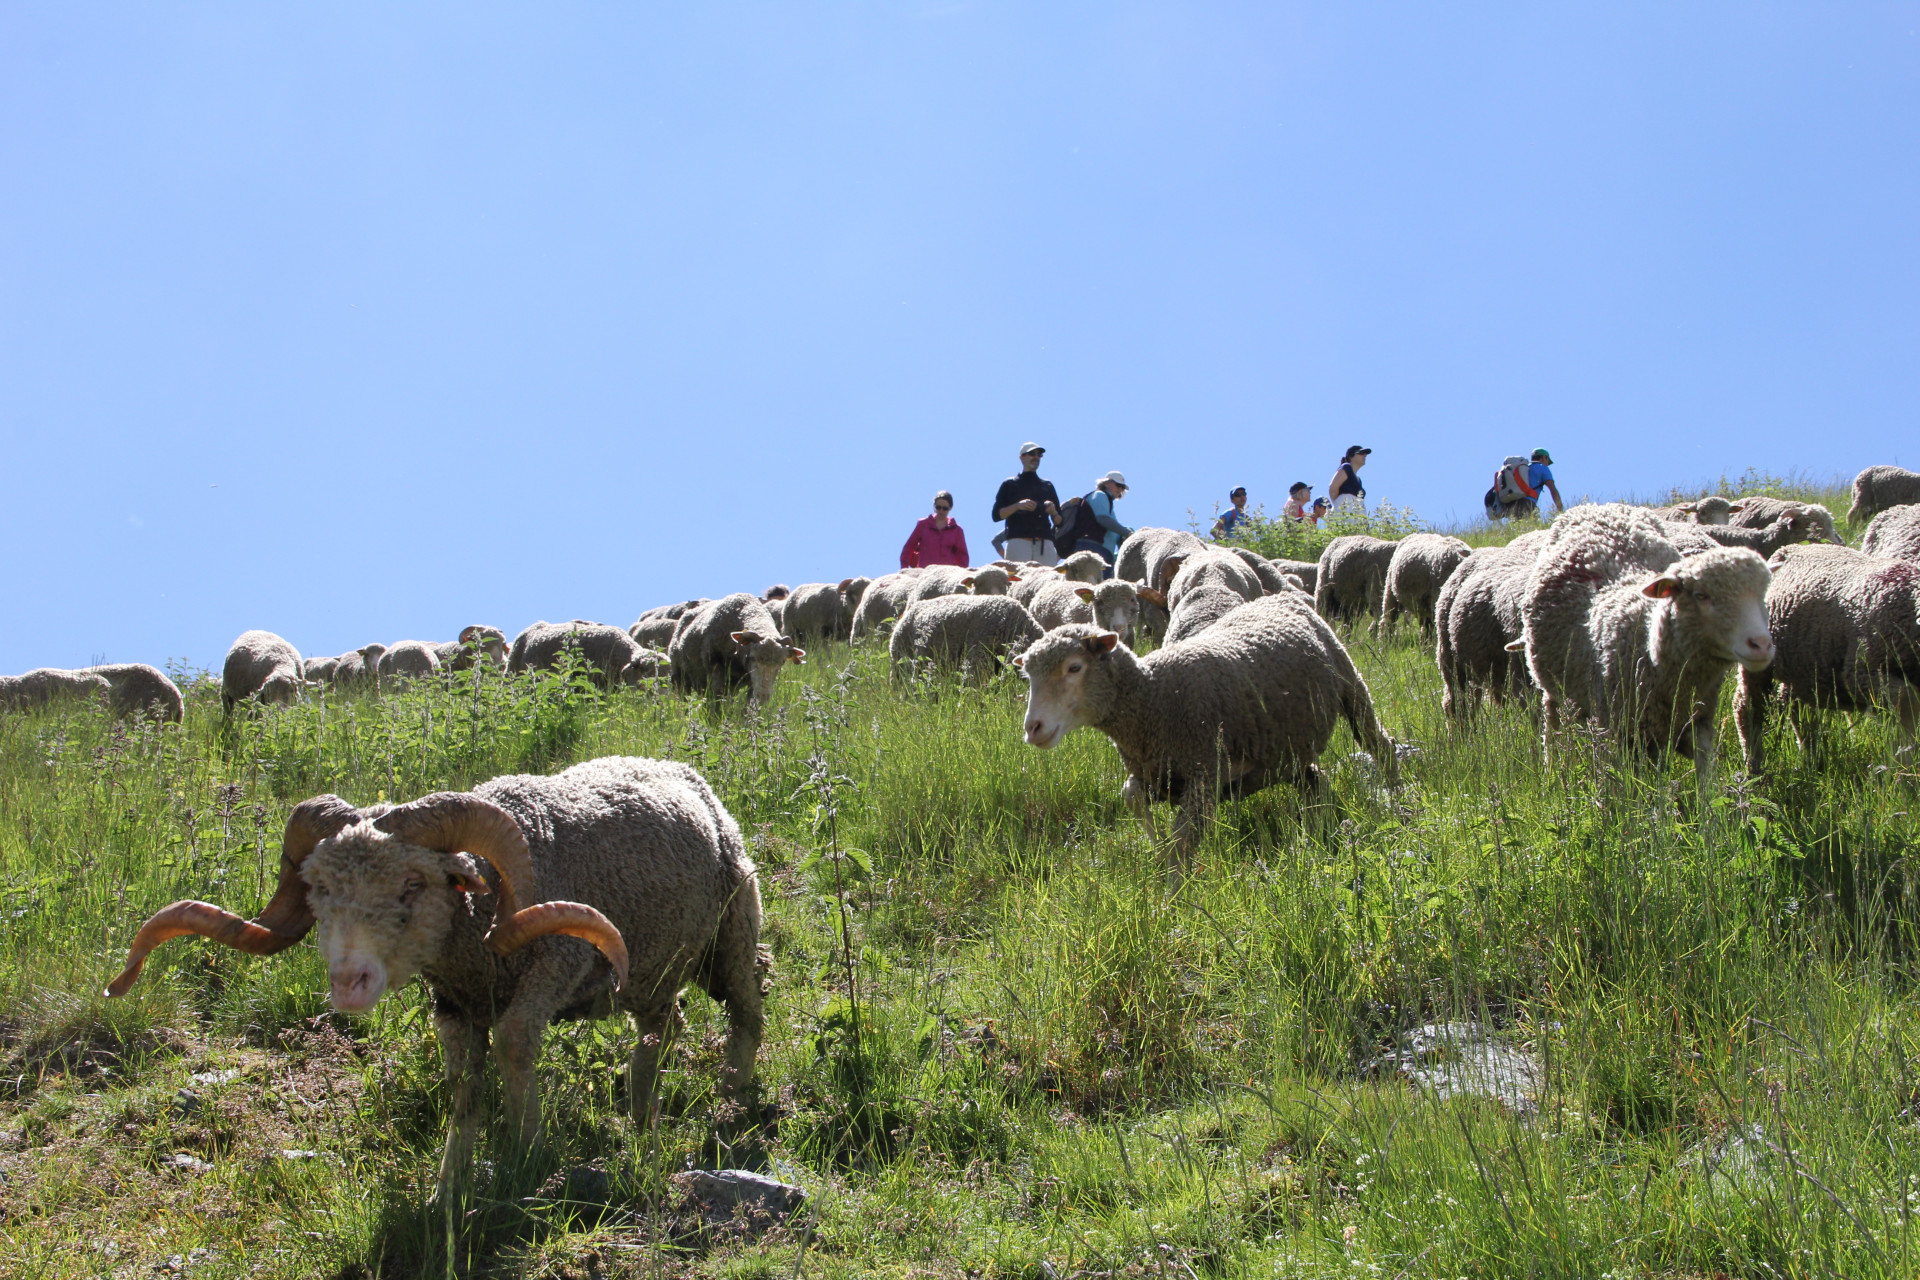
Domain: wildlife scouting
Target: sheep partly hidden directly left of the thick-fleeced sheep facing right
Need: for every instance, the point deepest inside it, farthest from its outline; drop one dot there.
(1477, 619)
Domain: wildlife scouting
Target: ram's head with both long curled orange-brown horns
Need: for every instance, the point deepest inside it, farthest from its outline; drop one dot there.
(385, 888)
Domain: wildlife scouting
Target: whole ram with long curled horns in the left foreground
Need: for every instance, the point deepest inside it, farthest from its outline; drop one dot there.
(606, 888)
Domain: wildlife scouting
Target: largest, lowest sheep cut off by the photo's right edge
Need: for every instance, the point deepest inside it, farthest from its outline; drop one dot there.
(1846, 638)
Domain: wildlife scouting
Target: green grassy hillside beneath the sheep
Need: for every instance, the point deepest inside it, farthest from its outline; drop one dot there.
(1049, 1060)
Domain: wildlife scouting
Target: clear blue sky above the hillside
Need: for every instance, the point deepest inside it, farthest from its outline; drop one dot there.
(362, 323)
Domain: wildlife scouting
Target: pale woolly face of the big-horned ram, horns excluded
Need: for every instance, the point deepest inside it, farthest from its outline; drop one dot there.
(383, 911)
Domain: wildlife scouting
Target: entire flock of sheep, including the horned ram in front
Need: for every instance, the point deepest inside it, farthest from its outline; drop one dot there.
(619, 882)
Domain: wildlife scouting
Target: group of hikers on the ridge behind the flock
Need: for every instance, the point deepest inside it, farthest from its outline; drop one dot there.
(1038, 527)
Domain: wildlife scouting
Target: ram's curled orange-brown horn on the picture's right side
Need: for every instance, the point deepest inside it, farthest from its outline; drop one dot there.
(460, 822)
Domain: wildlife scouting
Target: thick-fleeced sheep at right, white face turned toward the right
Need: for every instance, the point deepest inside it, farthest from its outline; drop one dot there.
(1627, 632)
